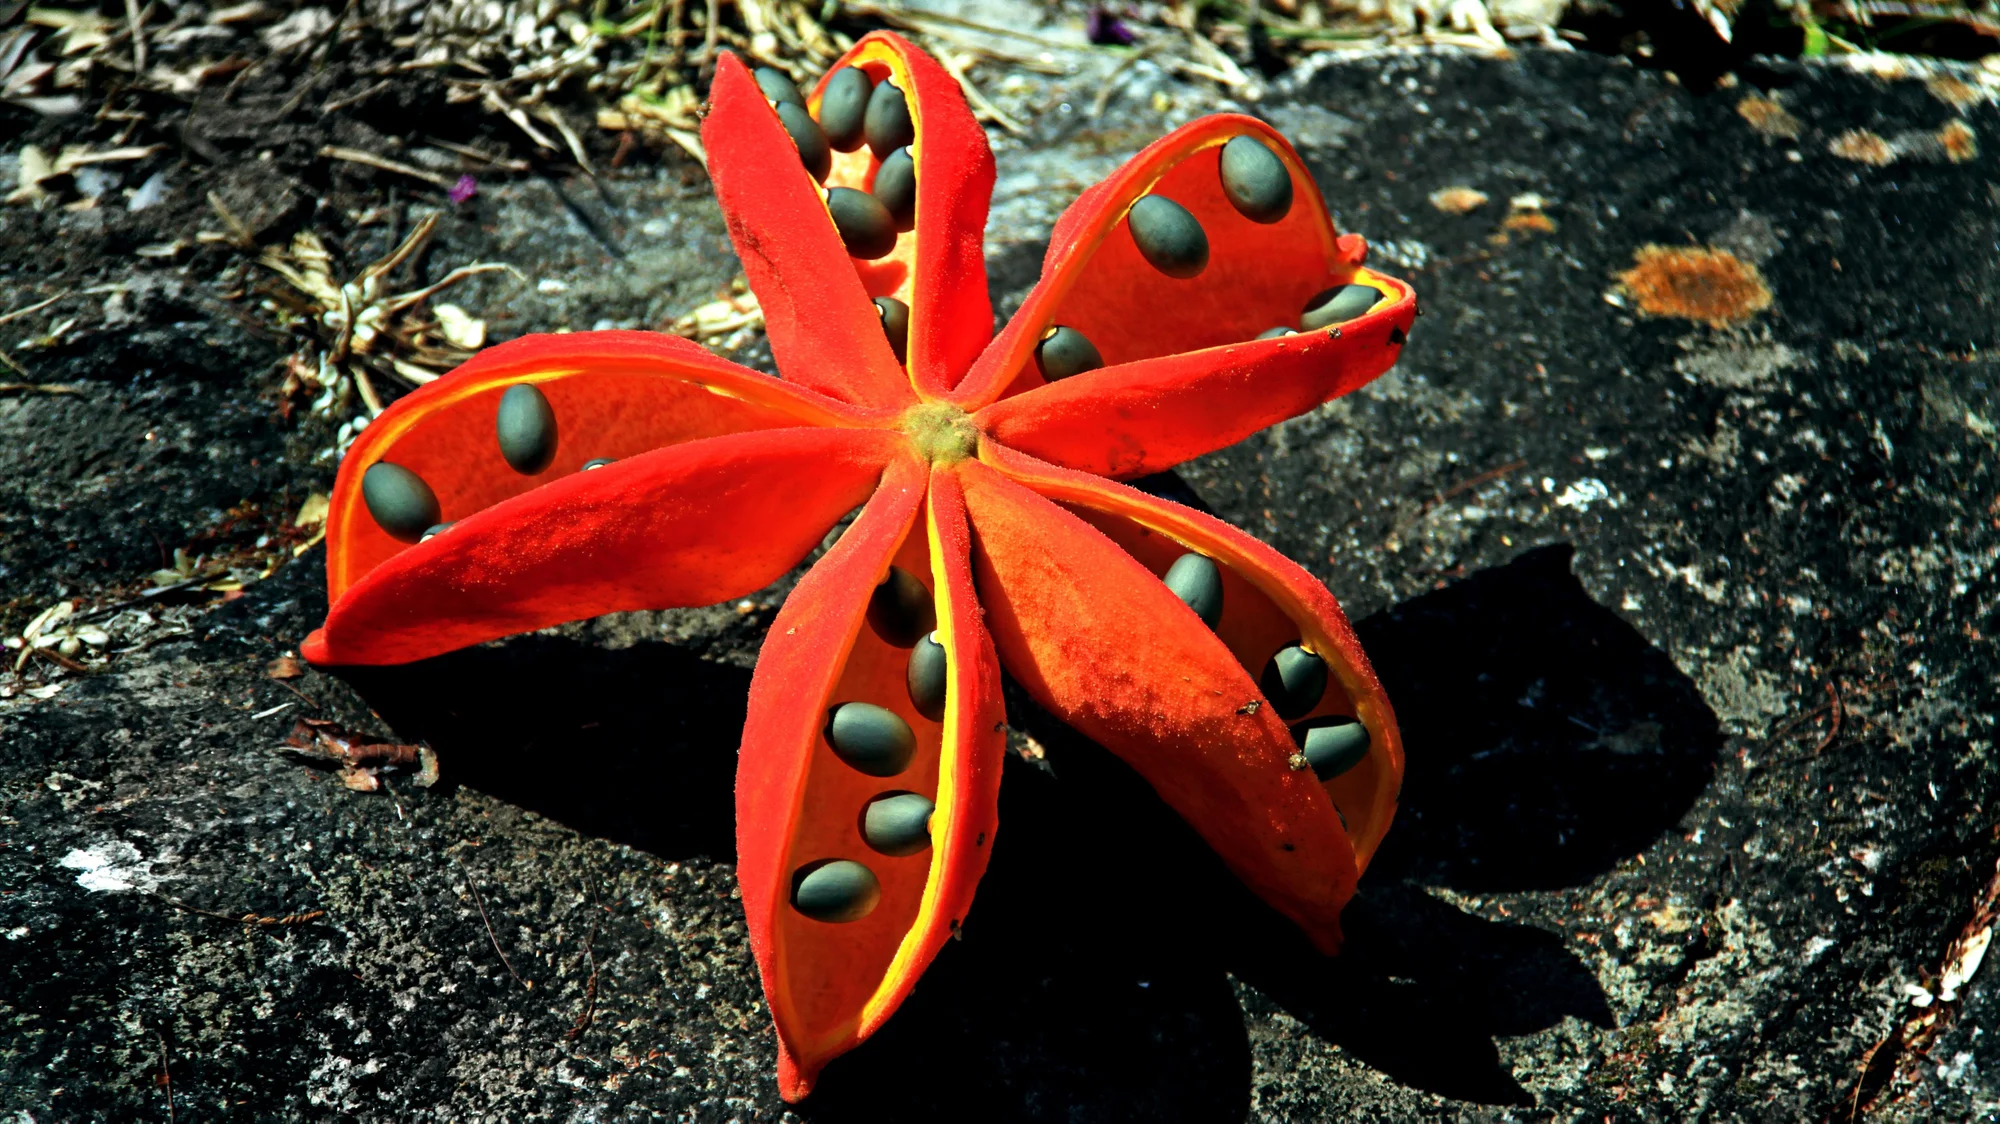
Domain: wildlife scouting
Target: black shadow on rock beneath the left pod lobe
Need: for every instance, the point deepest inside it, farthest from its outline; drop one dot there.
(633, 745)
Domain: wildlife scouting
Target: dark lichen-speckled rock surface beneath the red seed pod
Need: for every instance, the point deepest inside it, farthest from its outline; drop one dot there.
(1689, 629)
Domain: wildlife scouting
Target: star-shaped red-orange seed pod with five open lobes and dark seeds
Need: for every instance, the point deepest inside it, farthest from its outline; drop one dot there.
(1189, 301)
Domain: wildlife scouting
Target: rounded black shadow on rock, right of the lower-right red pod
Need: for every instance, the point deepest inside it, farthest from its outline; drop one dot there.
(1545, 739)
